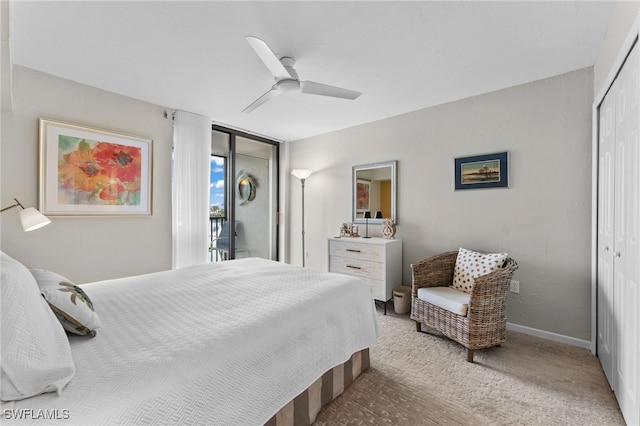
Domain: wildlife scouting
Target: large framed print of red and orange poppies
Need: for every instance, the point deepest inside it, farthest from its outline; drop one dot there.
(85, 171)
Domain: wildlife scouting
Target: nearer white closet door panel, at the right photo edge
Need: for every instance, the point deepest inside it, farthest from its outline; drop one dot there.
(627, 240)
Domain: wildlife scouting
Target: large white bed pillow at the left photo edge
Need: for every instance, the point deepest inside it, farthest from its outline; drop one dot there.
(36, 357)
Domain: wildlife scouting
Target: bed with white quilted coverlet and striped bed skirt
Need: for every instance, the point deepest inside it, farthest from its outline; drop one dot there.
(242, 342)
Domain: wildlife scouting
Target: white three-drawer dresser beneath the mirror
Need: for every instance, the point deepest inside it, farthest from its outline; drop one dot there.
(376, 260)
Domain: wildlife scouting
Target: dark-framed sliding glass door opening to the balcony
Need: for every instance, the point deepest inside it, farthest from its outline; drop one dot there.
(243, 192)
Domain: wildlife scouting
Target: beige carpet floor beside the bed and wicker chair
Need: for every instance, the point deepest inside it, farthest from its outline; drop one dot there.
(423, 379)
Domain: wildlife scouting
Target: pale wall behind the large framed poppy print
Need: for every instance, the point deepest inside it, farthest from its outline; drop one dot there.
(82, 248)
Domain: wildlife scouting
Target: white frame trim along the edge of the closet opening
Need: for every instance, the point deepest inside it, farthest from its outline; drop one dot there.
(624, 51)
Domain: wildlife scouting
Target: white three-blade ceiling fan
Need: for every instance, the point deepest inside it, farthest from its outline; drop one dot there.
(287, 78)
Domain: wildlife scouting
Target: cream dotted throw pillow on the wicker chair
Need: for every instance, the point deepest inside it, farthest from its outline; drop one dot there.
(471, 265)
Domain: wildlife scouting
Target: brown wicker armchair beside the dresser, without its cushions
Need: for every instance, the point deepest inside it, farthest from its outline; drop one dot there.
(485, 322)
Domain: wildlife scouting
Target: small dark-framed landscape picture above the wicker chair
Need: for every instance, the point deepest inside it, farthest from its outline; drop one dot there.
(482, 171)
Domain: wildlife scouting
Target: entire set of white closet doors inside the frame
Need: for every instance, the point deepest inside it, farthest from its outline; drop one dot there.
(618, 279)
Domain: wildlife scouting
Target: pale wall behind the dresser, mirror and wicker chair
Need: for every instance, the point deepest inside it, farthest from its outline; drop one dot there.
(543, 220)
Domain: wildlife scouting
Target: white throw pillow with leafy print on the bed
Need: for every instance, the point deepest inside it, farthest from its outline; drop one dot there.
(72, 306)
